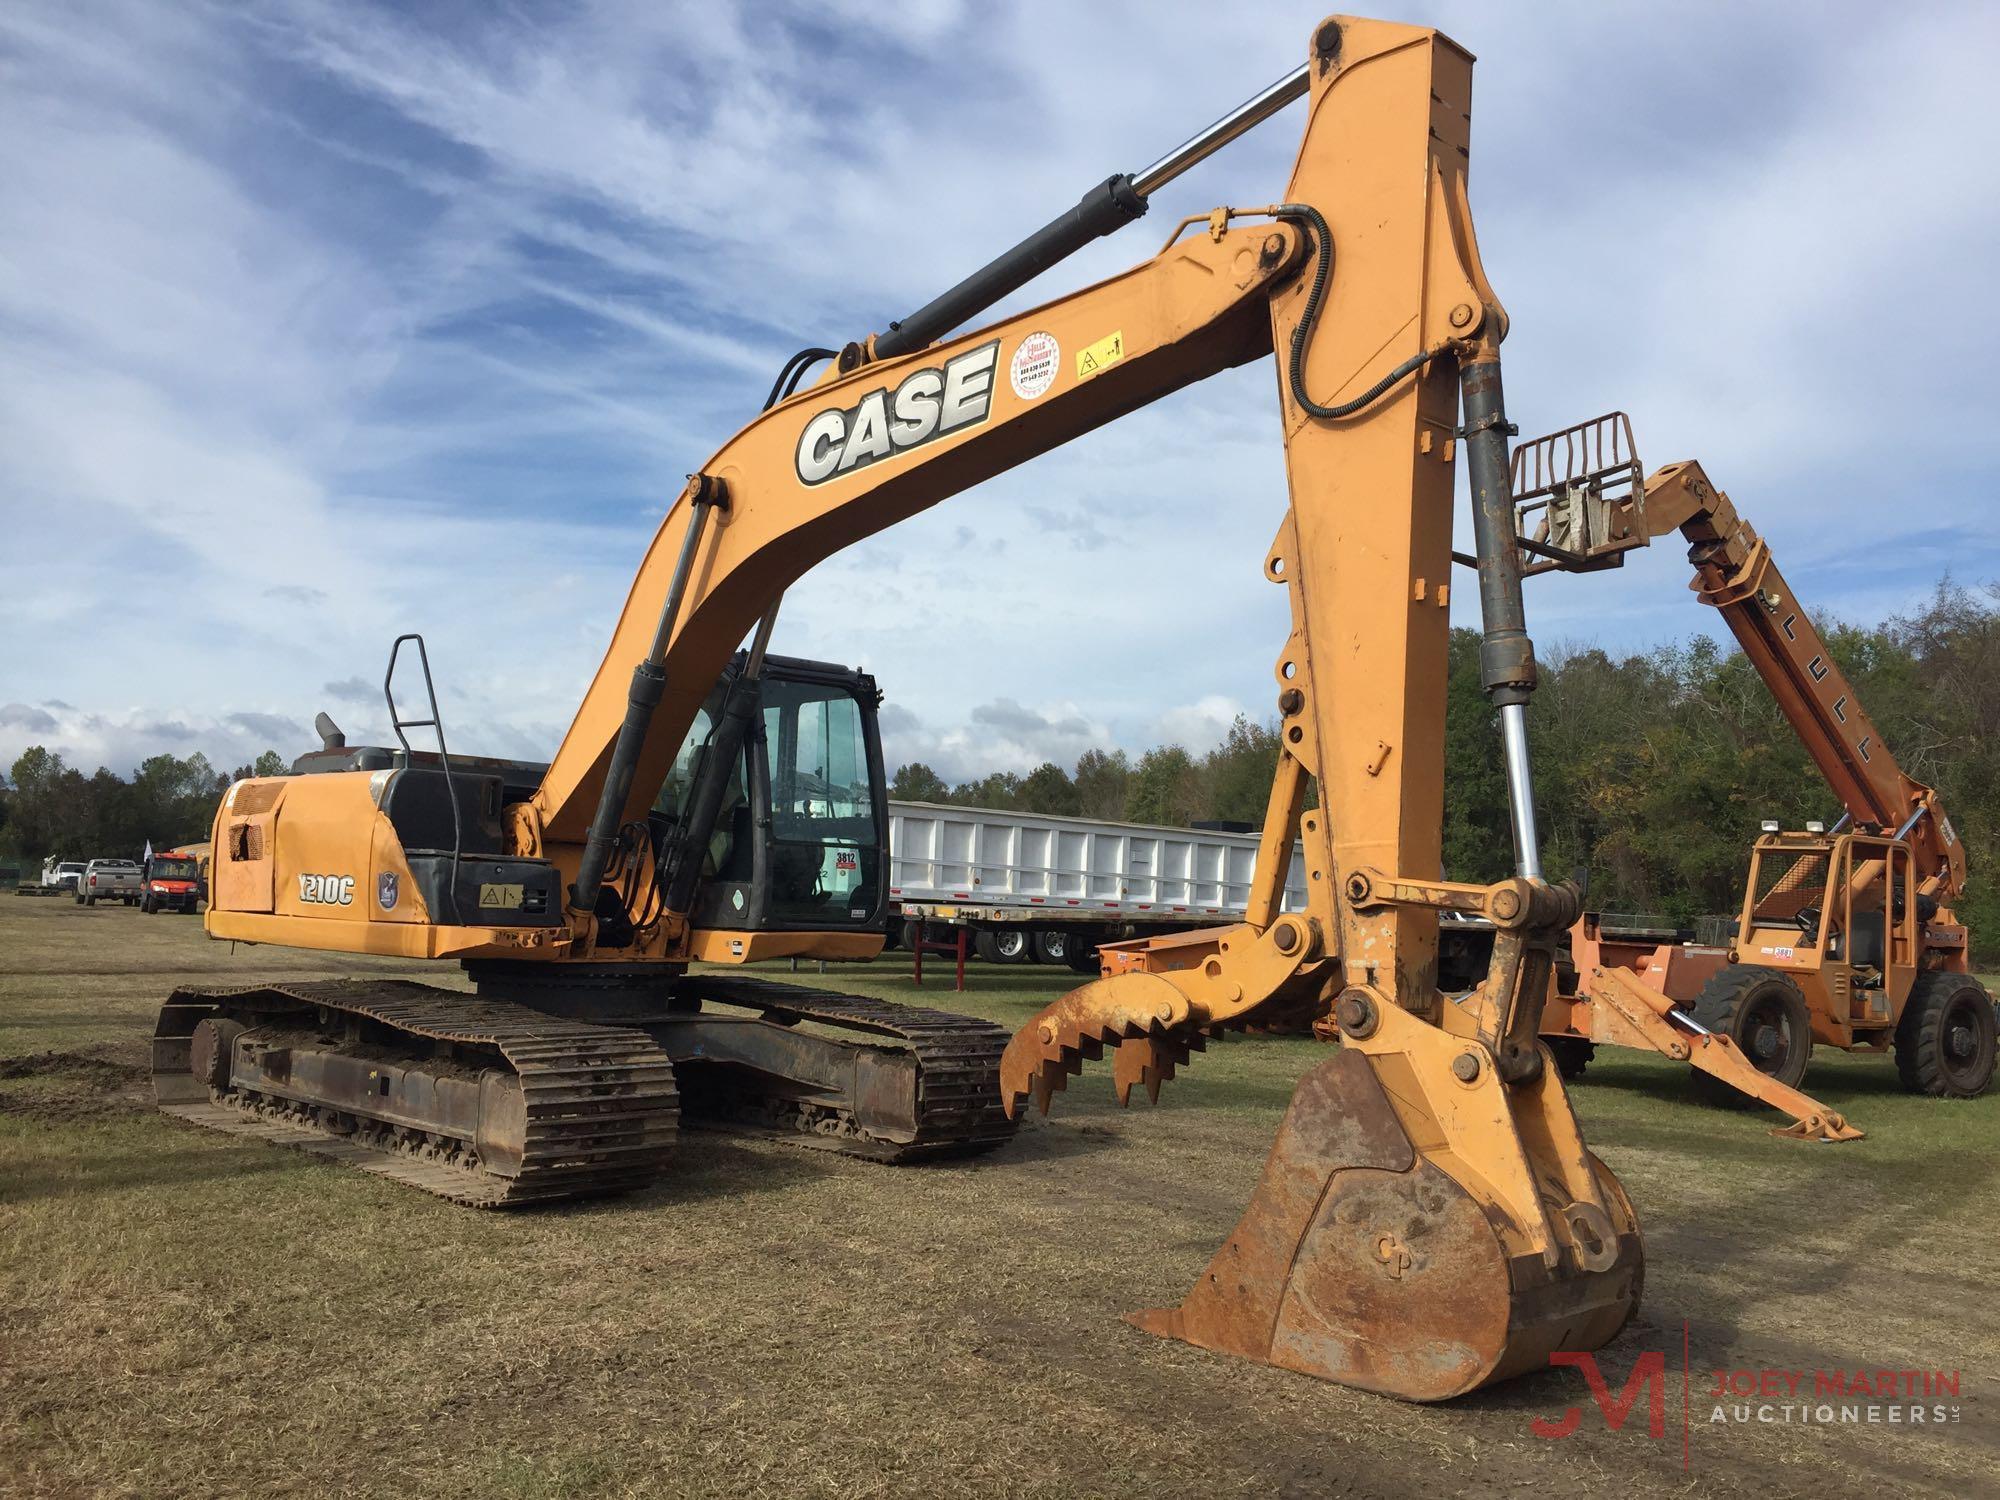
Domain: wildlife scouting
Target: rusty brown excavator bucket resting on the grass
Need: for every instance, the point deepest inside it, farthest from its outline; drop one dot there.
(1371, 1261)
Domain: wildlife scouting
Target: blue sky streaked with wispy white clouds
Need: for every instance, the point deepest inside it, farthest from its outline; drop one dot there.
(325, 321)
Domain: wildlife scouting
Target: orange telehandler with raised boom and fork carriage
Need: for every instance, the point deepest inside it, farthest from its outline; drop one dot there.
(1847, 935)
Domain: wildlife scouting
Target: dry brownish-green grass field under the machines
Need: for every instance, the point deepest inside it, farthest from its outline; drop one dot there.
(183, 1313)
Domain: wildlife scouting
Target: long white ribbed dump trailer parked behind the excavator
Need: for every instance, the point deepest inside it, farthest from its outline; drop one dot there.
(1053, 889)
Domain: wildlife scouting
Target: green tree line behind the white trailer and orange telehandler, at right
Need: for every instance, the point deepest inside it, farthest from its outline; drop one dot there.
(1653, 769)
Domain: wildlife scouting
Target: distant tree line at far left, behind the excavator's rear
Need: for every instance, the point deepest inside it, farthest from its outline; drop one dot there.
(51, 807)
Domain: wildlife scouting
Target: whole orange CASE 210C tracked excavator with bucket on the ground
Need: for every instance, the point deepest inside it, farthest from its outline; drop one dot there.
(1429, 1219)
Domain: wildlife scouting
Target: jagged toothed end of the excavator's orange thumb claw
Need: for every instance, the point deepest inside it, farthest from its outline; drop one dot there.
(1141, 1015)
